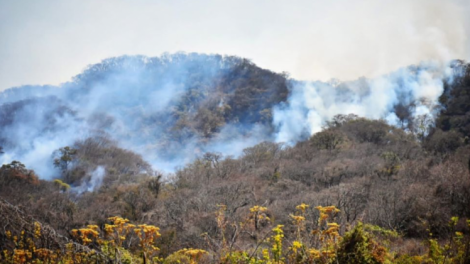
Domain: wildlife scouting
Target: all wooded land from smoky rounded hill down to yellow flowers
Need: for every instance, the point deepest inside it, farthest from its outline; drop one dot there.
(361, 190)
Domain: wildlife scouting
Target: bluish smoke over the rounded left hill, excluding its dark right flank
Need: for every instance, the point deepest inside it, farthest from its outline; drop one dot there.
(132, 100)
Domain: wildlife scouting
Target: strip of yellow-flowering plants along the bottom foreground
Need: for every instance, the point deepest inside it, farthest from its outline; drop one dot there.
(322, 245)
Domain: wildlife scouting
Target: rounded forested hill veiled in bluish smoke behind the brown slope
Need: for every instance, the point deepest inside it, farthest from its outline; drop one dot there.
(167, 108)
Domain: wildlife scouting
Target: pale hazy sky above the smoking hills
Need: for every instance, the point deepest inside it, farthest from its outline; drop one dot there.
(50, 41)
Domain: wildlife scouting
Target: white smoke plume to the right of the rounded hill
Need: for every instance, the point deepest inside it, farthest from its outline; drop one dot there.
(311, 104)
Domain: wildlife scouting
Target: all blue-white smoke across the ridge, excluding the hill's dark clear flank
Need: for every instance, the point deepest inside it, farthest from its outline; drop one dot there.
(133, 101)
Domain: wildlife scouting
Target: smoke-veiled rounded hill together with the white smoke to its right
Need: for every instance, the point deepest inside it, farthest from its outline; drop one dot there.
(174, 108)
